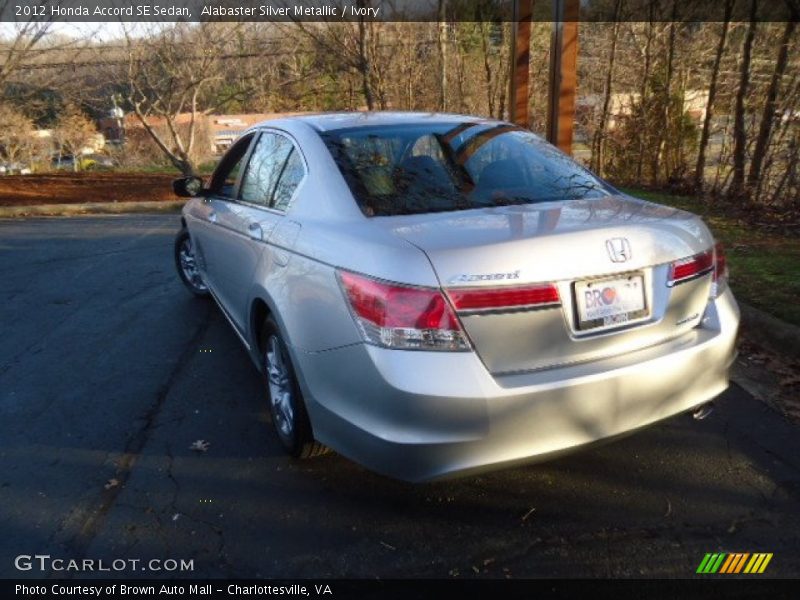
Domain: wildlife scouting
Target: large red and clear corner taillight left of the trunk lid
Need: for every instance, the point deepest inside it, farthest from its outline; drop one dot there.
(402, 317)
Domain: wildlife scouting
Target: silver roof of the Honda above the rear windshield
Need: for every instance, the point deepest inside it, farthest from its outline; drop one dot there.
(346, 120)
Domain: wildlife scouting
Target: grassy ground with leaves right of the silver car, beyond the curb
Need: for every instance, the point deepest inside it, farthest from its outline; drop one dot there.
(764, 266)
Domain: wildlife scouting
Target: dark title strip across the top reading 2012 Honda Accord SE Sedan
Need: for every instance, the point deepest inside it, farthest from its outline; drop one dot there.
(132, 11)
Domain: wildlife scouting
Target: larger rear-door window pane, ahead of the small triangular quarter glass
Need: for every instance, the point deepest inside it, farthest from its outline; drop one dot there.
(265, 168)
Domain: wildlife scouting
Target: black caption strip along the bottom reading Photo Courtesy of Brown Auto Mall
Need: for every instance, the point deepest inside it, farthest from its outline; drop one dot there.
(407, 589)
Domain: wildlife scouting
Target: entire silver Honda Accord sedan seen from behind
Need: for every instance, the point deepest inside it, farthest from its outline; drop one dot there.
(433, 294)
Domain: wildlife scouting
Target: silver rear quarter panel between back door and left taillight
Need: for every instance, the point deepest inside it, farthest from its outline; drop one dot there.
(299, 282)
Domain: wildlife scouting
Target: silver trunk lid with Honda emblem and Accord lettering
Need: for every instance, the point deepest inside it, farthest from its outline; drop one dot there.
(590, 250)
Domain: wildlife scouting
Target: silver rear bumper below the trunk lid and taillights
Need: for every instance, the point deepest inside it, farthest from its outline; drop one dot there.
(426, 415)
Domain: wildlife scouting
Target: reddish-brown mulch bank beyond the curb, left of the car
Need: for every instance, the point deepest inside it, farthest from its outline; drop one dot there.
(78, 188)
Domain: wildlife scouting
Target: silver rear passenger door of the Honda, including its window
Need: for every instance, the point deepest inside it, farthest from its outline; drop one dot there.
(262, 195)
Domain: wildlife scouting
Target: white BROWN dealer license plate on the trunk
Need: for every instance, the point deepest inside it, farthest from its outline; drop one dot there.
(610, 302)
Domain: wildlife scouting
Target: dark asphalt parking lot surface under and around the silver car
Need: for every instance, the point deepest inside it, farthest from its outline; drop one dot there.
(109, 371)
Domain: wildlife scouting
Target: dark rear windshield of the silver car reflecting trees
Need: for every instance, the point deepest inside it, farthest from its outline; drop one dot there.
(409, 169)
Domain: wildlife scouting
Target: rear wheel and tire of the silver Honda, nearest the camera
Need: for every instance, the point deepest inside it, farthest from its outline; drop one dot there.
(288, 412)
